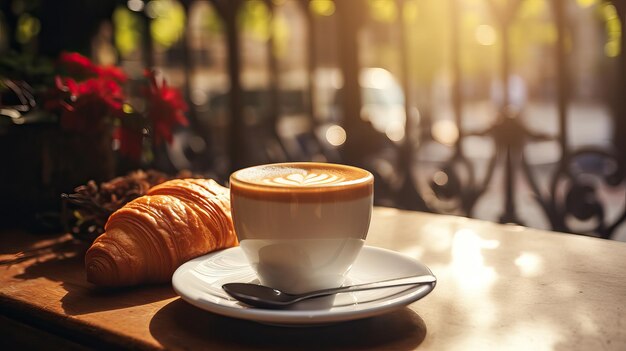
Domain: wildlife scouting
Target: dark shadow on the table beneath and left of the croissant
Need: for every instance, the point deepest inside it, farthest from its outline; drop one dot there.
(82, 297)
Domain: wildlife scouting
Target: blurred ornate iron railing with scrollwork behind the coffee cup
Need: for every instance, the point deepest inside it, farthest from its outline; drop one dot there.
(568, 196)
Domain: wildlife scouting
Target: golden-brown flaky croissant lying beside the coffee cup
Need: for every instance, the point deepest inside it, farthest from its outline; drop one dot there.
(147, 239)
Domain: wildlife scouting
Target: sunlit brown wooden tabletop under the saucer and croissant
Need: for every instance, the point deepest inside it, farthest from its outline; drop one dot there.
(500, 287)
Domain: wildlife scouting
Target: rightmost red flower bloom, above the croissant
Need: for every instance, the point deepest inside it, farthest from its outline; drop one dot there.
(166, 109)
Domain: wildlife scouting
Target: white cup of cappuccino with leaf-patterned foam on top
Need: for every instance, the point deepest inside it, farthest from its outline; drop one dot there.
(301, 225)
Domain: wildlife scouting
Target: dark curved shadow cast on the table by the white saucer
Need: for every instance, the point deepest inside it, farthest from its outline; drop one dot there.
(180, 325)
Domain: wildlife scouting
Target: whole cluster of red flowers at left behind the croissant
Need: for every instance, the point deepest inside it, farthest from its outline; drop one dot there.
(91, 98)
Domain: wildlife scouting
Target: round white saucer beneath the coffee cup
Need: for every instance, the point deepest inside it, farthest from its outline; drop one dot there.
(200, 281)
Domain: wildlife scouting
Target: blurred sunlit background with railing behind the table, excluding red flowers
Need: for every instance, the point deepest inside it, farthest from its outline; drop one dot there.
(504, 110)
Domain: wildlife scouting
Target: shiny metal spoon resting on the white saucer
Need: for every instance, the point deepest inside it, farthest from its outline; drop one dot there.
(266, 297)
